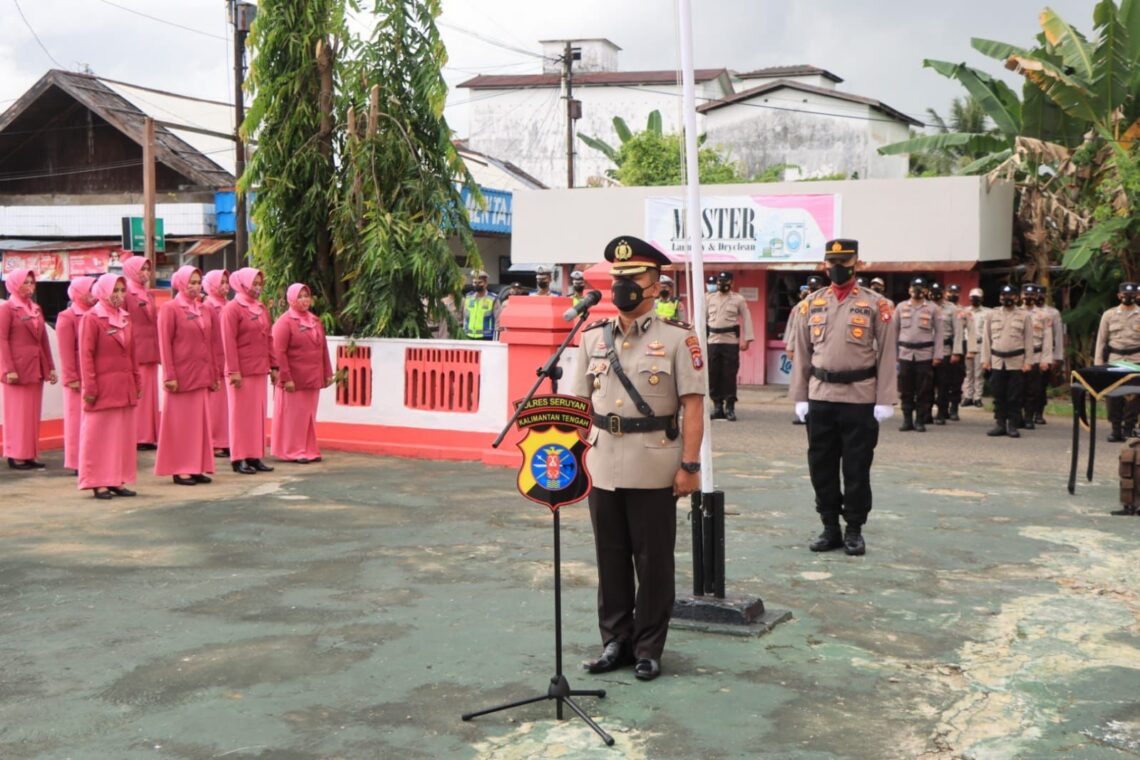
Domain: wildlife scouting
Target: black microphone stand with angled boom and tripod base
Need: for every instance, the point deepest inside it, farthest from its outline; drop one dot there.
(559, 689)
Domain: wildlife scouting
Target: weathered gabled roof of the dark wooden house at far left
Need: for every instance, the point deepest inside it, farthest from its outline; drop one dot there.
(129, 119)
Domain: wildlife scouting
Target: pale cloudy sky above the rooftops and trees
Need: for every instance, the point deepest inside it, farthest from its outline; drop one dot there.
(877, 46)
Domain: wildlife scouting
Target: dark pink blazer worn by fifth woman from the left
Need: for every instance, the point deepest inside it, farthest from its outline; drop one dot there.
(185, 346)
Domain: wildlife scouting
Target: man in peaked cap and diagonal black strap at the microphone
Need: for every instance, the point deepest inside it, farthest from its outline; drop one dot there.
(646, 379)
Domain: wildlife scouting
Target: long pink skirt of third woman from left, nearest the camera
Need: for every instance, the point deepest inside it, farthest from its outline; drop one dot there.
(107, 451)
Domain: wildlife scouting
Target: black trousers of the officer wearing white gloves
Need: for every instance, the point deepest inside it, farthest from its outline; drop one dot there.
(842, 439)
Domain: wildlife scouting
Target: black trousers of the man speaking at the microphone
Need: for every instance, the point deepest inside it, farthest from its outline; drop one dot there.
(636, 534)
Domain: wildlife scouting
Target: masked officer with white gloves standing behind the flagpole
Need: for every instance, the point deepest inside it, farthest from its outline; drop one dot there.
(843, 381)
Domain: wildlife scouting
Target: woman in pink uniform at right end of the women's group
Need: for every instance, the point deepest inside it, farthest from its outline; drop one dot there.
(304, 370)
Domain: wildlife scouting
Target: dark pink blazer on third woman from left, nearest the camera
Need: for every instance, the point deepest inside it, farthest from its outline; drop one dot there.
(108, 365)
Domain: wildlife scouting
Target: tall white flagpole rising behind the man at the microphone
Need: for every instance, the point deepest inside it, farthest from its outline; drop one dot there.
(694, 214)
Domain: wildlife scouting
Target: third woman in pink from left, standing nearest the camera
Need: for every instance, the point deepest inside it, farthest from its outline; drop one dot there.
(110, 373)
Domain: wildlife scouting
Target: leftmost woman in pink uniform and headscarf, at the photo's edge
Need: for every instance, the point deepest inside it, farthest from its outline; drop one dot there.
(26, 363)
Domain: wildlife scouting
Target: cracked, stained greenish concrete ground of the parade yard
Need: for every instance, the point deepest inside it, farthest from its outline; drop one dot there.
(357, 608)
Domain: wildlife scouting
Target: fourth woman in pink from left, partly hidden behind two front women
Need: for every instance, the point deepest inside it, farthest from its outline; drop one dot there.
(141, 307)
